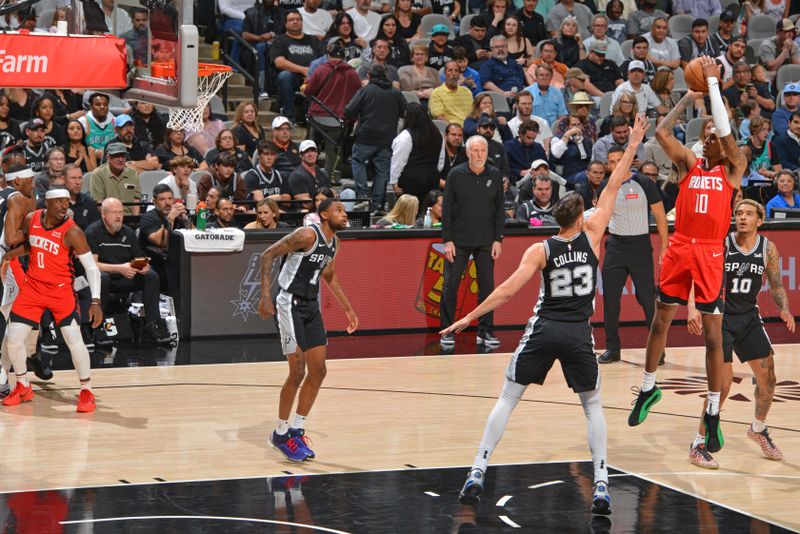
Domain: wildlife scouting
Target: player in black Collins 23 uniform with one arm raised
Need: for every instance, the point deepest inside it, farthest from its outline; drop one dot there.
(560, 329)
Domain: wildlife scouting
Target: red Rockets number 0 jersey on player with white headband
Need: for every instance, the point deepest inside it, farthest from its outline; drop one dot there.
(50, 257)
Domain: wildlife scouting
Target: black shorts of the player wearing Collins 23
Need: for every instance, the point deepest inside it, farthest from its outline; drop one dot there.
(546, 341)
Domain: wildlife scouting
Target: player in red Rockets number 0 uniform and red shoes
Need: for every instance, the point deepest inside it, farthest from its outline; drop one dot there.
(51, 238)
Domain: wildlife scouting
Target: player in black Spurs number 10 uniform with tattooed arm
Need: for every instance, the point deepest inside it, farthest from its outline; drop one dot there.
(749, 255)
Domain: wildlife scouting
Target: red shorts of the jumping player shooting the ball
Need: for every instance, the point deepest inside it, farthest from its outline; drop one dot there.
(688, 260)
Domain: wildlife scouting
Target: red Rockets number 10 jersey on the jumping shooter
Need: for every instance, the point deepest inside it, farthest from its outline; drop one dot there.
(704, 204)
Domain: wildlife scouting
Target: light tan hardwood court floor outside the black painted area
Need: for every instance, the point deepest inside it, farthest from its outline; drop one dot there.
(211, 421)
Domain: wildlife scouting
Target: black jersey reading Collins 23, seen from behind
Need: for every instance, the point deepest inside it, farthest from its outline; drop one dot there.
(568, 279)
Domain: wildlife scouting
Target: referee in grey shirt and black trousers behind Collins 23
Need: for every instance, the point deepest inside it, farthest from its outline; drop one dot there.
(629, 253)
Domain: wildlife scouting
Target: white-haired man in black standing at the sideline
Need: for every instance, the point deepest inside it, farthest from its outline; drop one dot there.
(472, 224)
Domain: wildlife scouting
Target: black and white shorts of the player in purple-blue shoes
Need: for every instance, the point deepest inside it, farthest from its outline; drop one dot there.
(299, 323)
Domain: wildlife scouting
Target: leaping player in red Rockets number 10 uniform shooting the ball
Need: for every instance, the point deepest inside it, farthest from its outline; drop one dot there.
(695, 255)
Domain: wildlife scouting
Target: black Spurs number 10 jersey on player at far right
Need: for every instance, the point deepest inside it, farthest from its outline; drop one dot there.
(744, 272)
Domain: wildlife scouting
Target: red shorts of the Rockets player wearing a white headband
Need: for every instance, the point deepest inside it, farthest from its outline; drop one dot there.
(35, 297)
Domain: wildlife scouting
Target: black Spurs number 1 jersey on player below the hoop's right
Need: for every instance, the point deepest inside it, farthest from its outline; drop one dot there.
(302, 271)
